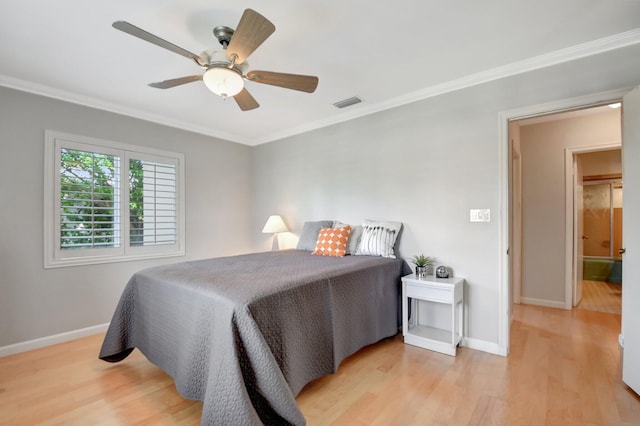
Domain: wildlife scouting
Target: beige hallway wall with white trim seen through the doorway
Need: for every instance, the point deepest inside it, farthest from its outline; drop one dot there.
(547, 264)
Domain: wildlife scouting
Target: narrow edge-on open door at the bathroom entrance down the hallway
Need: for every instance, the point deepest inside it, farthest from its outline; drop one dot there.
(578, 230)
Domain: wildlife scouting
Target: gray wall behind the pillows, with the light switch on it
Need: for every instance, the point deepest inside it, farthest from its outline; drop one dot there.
(424, 164)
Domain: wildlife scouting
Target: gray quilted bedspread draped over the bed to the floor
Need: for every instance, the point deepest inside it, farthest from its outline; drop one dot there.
(244, 334)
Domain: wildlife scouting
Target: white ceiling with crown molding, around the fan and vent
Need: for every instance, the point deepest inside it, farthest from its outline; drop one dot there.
(387, 53)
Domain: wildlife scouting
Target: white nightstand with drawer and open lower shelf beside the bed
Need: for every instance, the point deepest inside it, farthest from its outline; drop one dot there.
(441, 290)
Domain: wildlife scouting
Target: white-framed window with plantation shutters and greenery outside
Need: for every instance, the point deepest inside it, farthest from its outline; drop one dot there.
(106, 201)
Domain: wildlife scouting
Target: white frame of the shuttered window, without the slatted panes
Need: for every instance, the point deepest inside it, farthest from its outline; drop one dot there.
(55, 257)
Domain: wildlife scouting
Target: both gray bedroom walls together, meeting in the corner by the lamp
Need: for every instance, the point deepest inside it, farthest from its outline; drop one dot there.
(425, 164)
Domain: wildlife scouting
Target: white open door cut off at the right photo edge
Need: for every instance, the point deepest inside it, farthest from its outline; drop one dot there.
(631, 240)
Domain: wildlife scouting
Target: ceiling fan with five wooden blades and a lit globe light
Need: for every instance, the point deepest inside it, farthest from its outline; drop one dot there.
(225, 69)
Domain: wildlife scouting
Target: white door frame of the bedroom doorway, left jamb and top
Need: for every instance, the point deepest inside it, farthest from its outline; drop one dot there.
(504, 305)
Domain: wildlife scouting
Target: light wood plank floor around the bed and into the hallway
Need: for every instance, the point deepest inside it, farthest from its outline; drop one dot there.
(564, 369)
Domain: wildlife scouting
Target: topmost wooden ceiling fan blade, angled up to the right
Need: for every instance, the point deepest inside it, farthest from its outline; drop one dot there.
(252, 30)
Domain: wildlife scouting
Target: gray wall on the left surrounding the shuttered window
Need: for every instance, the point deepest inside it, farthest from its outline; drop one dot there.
(35, 302)
